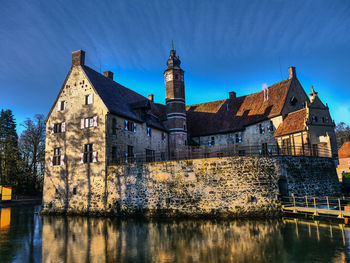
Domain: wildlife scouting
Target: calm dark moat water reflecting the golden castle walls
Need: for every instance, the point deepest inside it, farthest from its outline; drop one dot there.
(25, 236)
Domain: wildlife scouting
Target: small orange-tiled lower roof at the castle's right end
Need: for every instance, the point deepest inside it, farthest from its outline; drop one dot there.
(294, 122)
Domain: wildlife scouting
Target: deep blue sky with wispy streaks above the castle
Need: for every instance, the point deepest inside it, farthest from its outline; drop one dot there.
(223, 45)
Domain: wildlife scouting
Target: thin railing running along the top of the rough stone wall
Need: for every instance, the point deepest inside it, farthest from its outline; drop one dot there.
(199, 152)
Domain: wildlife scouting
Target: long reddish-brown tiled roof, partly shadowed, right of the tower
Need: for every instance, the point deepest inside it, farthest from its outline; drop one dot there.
(230, 115)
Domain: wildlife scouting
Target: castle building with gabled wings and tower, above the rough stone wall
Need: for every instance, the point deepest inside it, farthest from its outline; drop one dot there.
(96, 122)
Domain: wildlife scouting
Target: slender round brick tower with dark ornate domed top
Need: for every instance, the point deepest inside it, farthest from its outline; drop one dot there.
(175, 104)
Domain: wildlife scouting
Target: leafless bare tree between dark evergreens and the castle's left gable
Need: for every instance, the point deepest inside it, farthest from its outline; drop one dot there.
(32, 147)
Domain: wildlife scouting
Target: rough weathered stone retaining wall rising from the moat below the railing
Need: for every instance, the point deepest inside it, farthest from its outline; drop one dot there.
(226, 187)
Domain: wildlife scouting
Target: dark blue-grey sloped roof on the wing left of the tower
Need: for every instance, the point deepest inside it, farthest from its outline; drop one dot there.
(123, 101)
